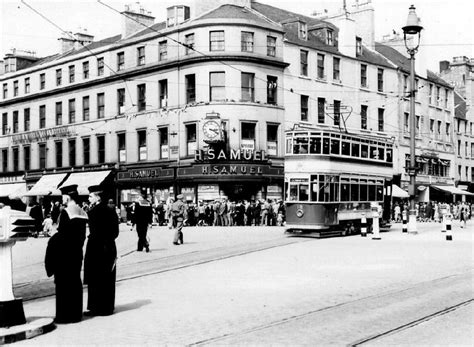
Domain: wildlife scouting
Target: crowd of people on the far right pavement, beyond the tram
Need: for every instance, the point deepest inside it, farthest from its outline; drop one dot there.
(433, 211)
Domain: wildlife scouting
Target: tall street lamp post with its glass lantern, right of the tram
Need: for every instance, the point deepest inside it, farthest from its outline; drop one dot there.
(411, 36)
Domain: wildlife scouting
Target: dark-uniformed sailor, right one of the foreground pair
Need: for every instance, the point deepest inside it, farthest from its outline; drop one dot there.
(101, 255)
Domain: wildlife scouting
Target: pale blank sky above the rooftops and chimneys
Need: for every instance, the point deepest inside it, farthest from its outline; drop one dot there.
(447, 24)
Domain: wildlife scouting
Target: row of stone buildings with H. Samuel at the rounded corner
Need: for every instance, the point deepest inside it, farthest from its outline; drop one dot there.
(199, 104)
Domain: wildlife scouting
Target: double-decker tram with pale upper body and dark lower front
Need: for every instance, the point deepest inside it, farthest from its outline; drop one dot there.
(333, 177)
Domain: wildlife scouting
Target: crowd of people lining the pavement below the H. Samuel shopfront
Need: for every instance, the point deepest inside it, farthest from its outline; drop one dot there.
(220, 212)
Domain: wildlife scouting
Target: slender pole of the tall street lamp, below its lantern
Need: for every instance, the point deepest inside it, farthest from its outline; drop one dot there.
(412, 213)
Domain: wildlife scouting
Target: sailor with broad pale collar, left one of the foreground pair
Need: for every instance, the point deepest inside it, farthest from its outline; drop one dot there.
(64, 257)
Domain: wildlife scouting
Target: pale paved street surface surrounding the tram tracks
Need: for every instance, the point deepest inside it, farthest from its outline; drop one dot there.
(221, 299)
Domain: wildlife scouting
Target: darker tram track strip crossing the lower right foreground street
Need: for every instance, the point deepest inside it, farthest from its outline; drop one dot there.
(324, 324)
